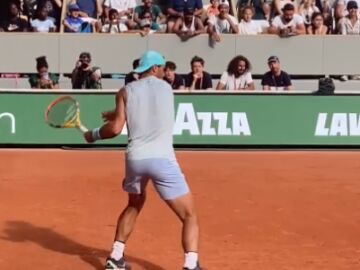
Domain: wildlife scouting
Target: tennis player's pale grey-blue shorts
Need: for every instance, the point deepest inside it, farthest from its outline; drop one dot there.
(166, 175)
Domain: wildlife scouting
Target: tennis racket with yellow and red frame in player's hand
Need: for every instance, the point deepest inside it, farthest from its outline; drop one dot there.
(64, 112)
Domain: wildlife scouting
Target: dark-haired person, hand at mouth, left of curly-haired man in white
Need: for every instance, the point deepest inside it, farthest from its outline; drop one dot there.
(198, 78)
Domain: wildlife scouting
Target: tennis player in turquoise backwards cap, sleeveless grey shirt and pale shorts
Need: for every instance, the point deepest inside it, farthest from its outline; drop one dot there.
(147, 106)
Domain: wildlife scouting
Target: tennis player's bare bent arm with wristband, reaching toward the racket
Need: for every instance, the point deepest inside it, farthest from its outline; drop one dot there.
(115, 123)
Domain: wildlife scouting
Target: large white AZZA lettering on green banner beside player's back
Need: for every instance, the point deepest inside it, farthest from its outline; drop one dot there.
(210, 123)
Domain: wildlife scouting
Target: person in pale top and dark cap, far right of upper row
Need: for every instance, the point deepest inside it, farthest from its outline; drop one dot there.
(350, 24)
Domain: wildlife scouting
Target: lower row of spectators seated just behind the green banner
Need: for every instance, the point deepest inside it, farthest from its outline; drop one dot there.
(236, 77)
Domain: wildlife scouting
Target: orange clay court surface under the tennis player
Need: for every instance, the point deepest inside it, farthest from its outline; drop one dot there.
(257, 210)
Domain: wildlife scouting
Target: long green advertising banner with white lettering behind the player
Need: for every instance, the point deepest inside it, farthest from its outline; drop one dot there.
(200, 119)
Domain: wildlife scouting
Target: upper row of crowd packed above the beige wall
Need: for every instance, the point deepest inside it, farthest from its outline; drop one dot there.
(187, 18)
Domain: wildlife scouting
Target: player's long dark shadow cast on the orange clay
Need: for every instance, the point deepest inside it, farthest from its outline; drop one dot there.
(20, 231)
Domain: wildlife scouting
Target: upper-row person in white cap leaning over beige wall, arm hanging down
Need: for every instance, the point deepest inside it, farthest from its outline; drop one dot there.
(224, 23)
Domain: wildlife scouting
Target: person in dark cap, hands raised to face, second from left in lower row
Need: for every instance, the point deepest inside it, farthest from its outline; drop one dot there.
(84, 76)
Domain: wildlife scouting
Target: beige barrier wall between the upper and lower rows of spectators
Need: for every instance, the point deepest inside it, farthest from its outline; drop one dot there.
(301, 55)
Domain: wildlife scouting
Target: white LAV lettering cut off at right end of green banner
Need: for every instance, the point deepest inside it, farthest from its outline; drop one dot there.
(338, 124)
